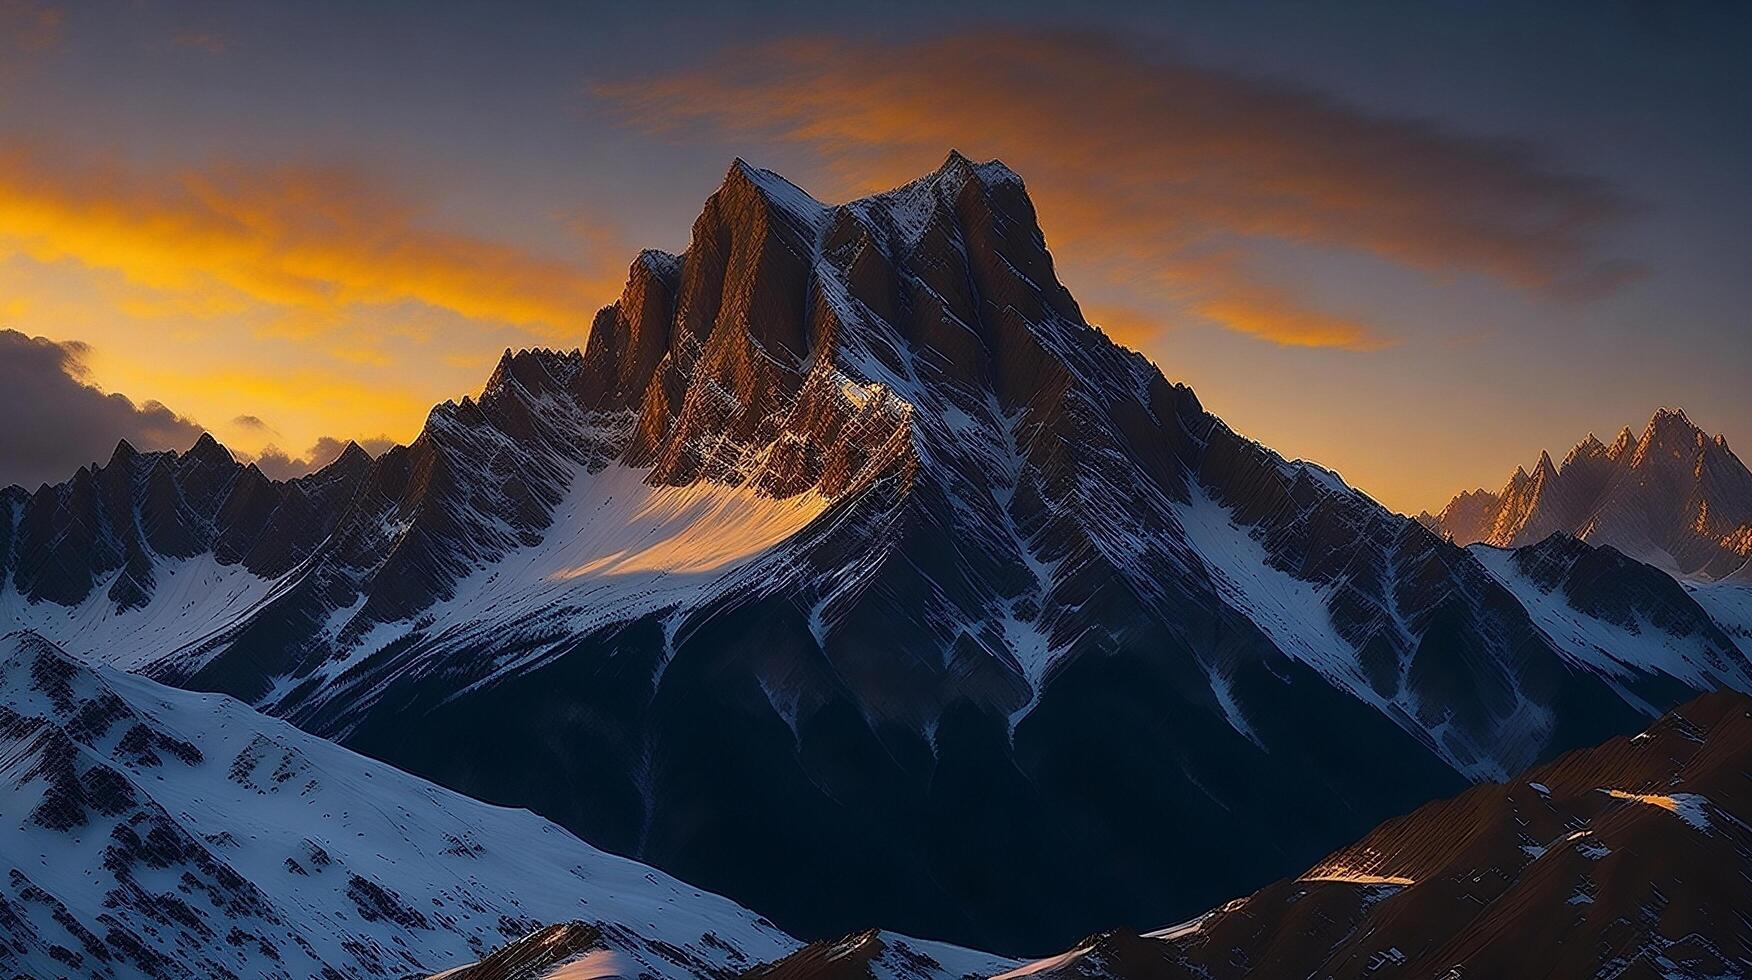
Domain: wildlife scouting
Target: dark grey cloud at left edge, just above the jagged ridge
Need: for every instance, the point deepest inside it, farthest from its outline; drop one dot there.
(55, 422)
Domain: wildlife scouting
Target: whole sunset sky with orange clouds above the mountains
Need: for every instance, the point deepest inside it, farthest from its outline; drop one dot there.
(1416, 243)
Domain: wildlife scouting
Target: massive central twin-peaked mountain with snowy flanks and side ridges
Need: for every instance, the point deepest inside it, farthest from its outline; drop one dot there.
(847, 571)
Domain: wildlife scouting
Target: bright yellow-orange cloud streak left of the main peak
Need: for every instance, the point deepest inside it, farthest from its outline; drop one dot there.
(311, 243)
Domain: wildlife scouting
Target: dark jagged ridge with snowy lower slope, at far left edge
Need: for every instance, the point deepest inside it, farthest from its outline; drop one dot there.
(152, 553)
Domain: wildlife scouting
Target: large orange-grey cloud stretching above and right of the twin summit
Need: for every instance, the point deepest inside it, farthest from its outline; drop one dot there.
(1143, 164)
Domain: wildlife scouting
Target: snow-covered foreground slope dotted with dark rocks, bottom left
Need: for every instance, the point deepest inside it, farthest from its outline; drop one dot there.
(152, 832)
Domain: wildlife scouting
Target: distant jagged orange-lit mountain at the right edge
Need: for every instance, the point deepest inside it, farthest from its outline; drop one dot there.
(1676, 499)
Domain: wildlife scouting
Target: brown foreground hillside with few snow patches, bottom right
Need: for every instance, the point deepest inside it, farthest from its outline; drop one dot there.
(1627, 860)
